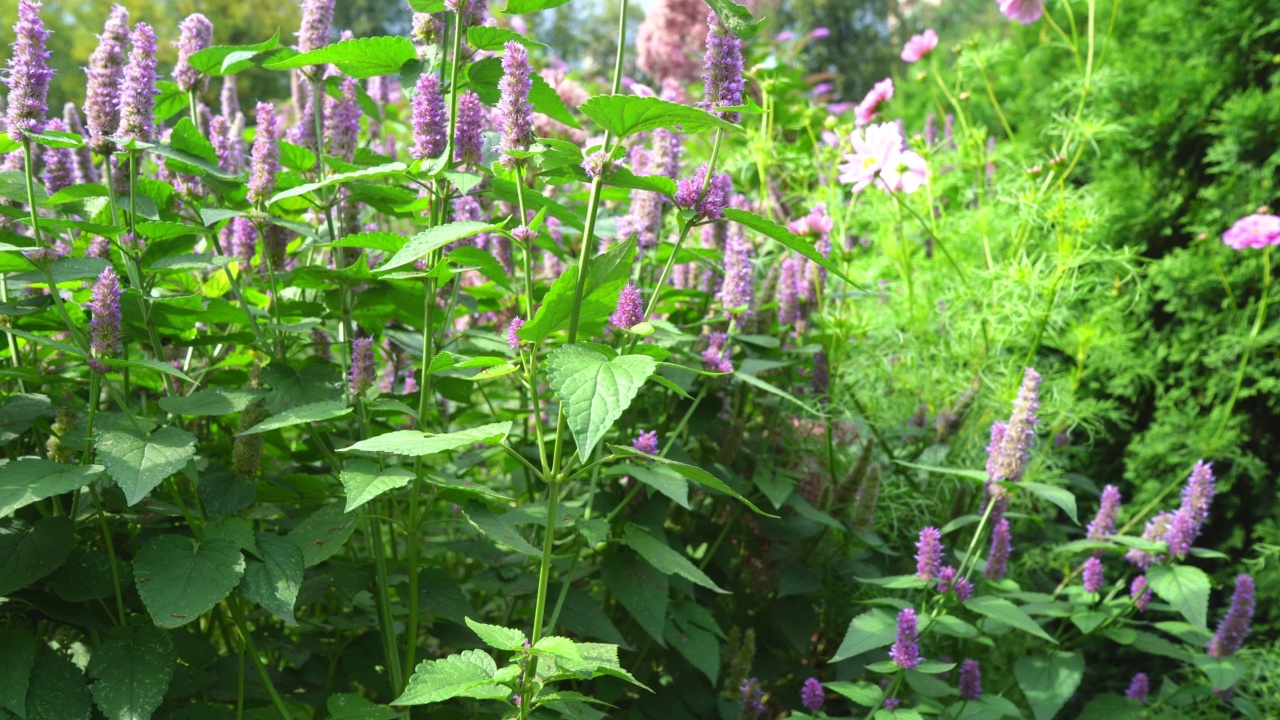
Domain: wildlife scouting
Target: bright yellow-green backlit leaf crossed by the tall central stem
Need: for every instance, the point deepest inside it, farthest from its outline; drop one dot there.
(606, 279)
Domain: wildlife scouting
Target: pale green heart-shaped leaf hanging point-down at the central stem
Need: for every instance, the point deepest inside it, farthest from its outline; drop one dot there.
(595, 390)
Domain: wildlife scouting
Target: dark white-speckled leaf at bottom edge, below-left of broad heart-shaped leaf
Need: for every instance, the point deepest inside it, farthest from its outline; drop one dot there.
(132, 669)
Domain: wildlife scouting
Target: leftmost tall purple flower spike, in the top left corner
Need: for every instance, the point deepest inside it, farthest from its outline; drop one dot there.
(29, 72)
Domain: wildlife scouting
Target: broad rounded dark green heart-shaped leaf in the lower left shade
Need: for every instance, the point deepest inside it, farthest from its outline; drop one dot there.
(180, 580)
